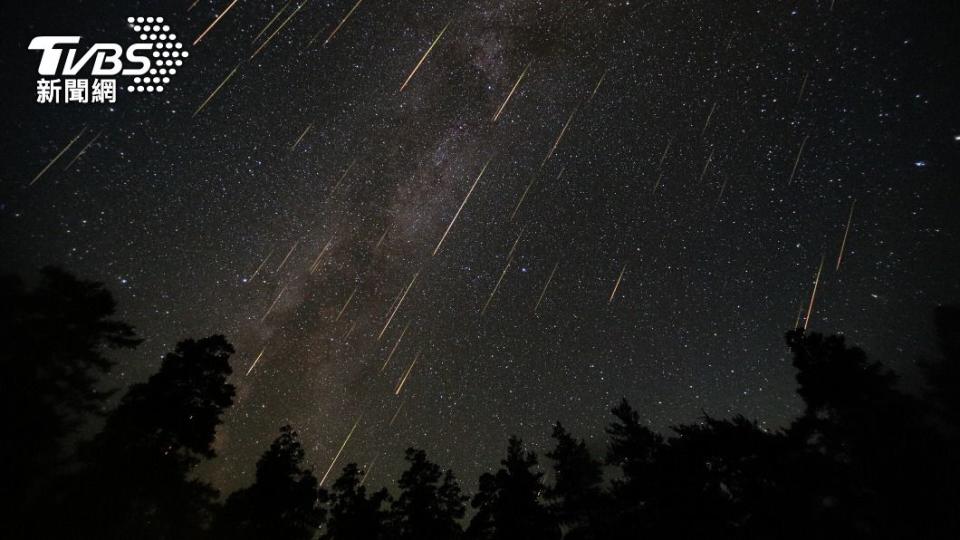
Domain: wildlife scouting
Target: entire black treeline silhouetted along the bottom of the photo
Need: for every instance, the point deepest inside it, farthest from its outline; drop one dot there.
(863, 460)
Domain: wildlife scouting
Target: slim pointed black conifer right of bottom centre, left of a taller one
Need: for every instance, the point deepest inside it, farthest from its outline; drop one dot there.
(576, 495)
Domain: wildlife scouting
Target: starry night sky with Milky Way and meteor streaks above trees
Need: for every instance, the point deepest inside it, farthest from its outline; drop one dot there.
(653, 205)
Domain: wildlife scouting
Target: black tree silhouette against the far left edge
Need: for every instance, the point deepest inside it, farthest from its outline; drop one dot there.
(54, 341)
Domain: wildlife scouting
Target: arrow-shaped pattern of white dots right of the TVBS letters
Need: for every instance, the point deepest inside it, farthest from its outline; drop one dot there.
(167, 54)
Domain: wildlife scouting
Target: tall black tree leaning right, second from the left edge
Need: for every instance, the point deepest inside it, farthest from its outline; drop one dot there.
(136, 482)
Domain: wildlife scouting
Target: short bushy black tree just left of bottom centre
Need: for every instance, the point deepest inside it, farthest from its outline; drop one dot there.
(429, 504)
